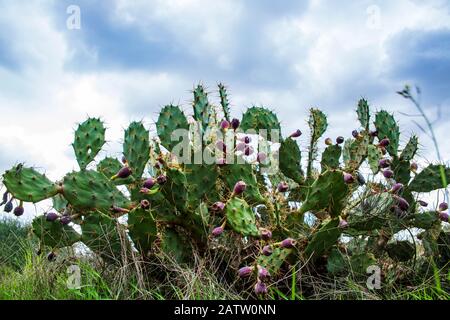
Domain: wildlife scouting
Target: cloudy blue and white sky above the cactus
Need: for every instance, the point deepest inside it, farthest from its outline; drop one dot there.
(129, 58)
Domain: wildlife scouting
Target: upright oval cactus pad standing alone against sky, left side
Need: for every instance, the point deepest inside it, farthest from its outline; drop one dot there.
(89, 140)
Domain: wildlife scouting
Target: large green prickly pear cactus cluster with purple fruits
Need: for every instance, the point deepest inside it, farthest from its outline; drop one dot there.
(201, 181)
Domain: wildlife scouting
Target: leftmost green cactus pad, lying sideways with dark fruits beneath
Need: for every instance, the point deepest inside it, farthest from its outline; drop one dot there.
(28, 185)
